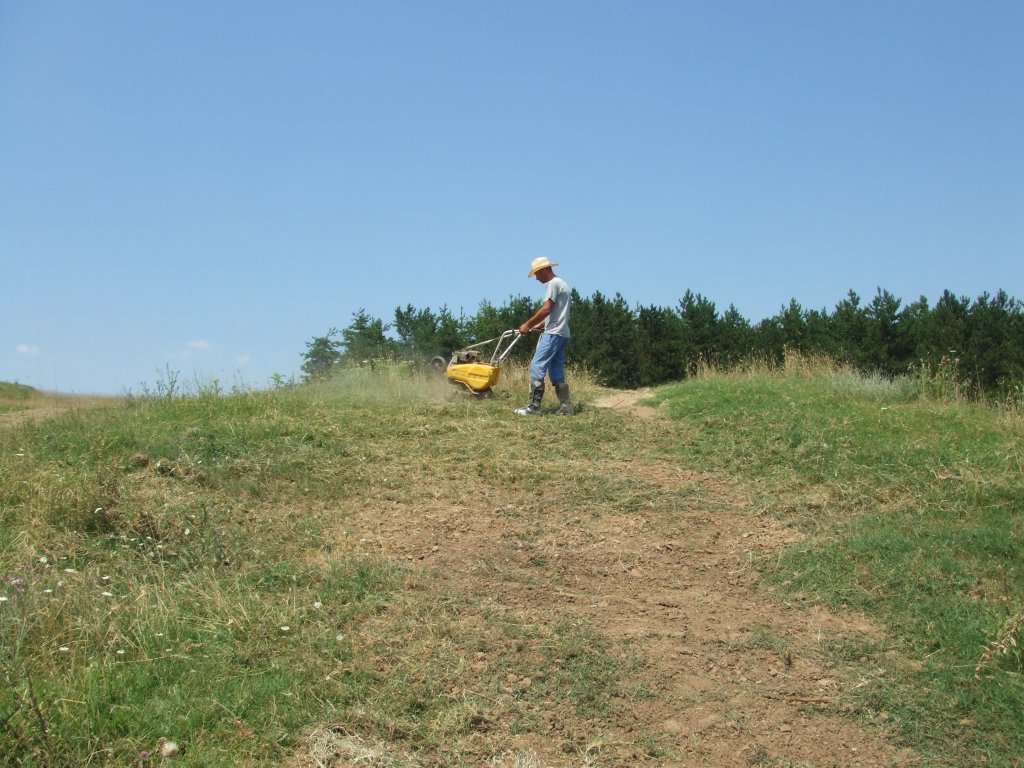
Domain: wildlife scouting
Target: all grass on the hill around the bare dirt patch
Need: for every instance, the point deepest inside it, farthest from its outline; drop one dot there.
(152, 554)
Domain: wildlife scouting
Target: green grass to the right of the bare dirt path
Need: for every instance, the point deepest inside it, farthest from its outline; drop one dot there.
(915, 516)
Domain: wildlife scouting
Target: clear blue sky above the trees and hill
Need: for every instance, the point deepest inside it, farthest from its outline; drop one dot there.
(205, 187)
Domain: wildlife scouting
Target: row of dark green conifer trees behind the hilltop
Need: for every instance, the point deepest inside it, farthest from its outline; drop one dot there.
(646, 346)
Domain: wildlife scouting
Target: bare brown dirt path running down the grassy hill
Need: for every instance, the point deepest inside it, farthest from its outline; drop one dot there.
(737, 677)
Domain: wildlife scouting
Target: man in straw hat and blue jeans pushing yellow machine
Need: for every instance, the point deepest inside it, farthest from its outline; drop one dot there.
(549, 360)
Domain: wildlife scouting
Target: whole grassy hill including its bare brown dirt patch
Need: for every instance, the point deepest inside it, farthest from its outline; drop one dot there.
(788, 568)
